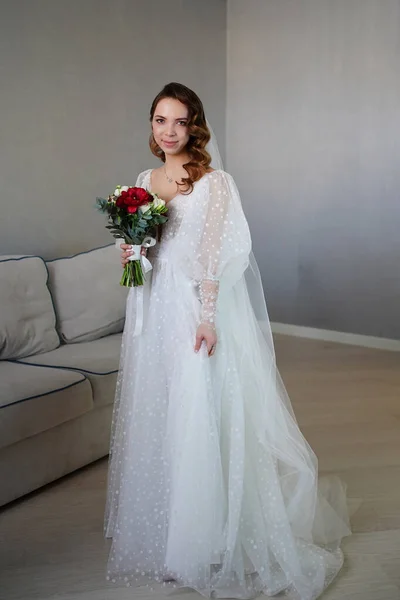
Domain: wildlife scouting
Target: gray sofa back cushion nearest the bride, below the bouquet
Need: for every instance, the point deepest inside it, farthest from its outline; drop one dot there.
(89, 301)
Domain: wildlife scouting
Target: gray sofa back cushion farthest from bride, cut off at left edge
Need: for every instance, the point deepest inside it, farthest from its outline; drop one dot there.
(27, 318)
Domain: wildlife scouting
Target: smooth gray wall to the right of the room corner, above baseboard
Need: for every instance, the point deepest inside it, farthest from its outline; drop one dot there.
(313, 140)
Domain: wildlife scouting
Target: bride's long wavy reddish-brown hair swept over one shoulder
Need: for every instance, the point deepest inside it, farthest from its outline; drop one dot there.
(199, 134)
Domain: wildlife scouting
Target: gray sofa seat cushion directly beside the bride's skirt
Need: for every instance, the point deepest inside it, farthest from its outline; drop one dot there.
(97, 360)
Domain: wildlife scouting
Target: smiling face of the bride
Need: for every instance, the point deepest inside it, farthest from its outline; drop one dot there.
(170, 127)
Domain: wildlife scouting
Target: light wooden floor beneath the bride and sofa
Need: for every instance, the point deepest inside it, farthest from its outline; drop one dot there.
(347, 403)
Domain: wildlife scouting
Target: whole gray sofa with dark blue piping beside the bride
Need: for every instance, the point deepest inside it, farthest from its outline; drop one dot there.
(61, 325)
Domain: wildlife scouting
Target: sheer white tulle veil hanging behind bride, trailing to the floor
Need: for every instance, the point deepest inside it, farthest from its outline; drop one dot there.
(316, 507)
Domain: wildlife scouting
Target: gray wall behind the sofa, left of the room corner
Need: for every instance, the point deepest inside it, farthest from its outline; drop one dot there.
(77, 81)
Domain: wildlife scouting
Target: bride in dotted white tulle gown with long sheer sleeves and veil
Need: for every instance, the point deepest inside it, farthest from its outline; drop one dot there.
(211, 483)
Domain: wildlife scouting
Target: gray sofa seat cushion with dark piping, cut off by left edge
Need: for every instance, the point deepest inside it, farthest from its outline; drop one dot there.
(34, 399)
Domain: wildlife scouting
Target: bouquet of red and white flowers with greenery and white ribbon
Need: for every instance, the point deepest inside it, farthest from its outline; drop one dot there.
(133, 216)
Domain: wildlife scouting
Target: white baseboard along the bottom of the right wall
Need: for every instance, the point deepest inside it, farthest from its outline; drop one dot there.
(336, 336)
